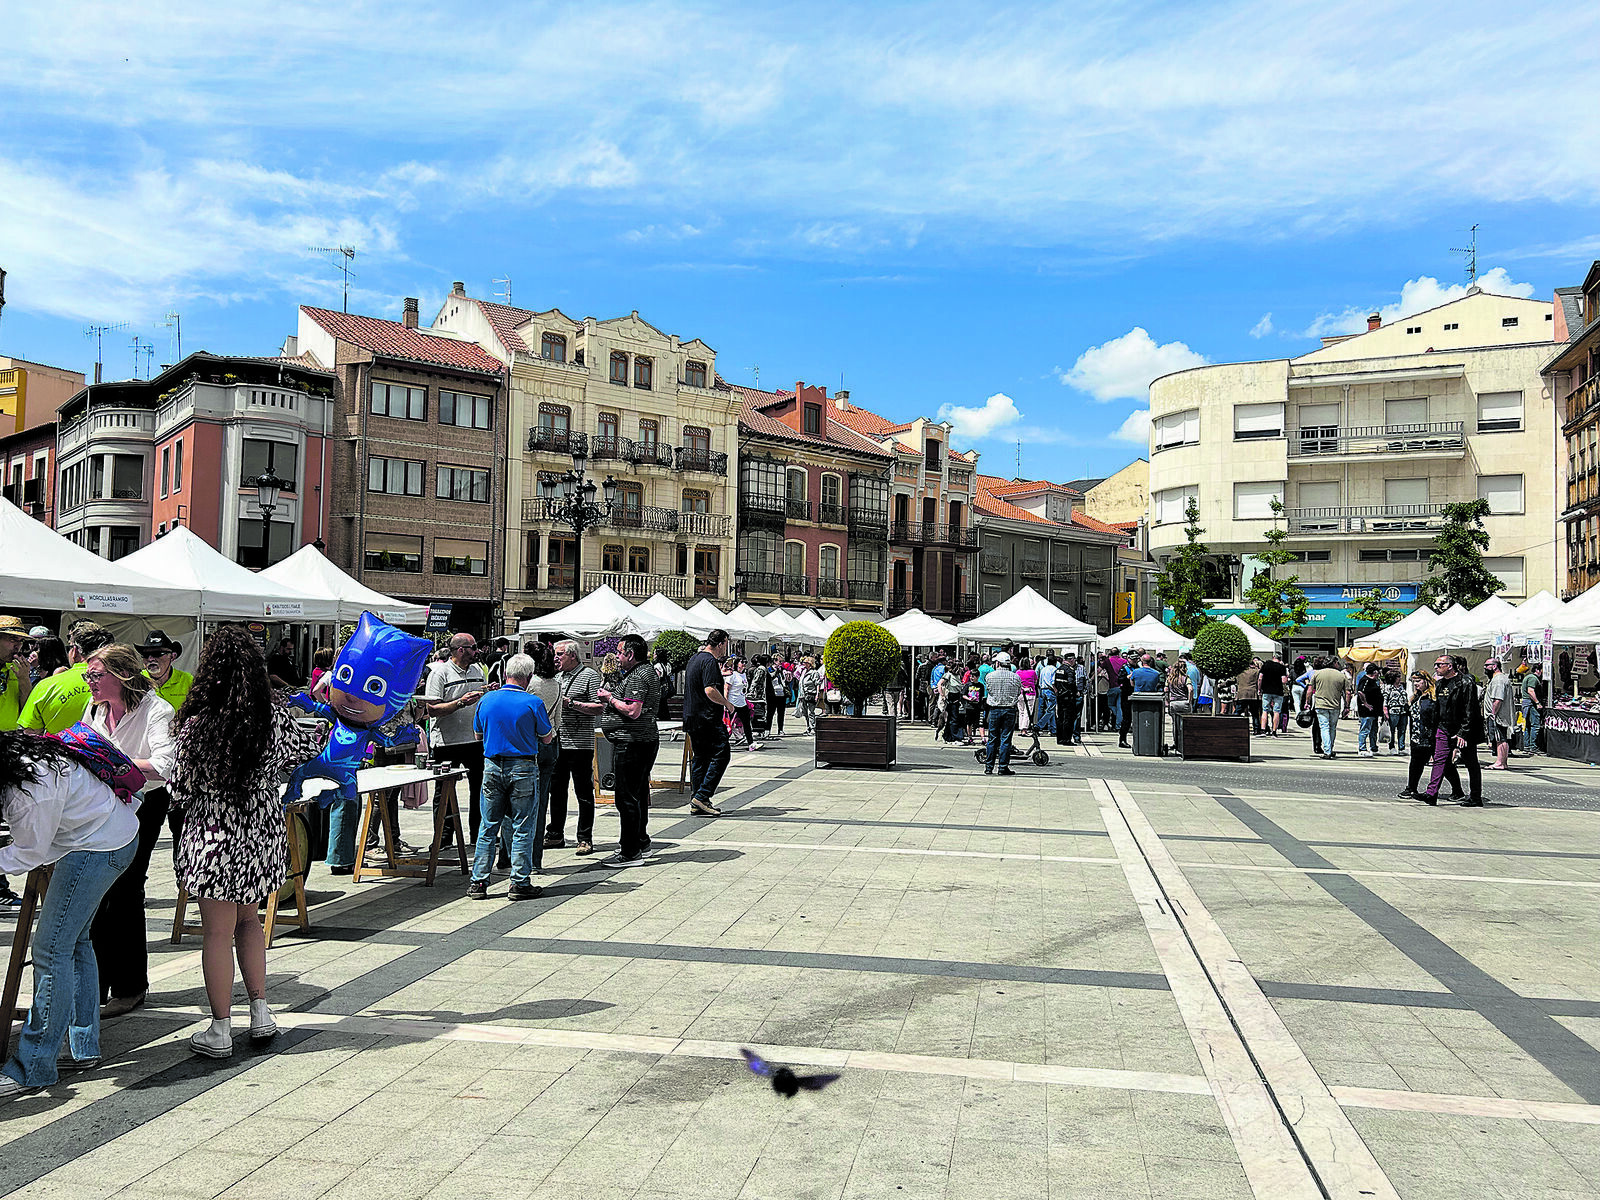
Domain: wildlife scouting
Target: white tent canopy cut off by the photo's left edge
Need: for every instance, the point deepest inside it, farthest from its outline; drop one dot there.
(39, 569)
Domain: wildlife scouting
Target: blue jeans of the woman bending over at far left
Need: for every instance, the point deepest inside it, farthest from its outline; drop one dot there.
(66, 977)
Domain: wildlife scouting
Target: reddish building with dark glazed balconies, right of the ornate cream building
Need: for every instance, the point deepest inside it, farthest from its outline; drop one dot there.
(814, 506)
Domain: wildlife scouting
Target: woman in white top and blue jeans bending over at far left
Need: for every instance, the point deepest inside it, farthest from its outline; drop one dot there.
(60, 814)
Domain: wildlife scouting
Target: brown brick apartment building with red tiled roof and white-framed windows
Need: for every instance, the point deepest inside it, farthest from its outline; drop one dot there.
(418, 465)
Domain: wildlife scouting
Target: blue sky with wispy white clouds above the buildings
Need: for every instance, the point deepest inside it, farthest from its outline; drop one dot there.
(1014, 217)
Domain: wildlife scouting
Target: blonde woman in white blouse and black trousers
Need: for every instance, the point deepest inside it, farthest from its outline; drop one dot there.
(126, 710)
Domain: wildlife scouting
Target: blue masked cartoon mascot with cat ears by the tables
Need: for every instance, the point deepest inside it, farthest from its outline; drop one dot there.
(374, 678)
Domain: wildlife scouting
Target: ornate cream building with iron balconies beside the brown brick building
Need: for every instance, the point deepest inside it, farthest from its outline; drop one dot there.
(646, 410)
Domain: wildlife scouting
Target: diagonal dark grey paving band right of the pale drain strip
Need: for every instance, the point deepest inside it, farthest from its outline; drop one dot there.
(1535, 1031)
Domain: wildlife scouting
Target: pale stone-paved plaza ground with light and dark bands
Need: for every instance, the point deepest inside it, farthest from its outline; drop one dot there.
(1100, 978)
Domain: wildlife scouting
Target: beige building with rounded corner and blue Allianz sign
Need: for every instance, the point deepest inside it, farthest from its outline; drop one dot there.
(1362, 442)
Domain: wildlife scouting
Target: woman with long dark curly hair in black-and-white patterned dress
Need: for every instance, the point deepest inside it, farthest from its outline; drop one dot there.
(234, 745)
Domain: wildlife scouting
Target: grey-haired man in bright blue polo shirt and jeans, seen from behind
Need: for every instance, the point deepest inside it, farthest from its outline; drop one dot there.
(511, 722)
